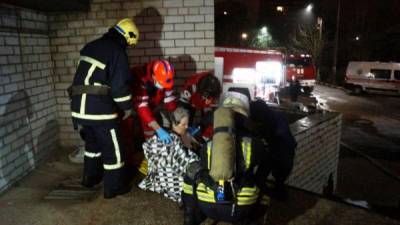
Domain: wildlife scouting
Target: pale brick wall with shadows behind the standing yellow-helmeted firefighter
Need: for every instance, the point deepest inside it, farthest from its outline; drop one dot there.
(181, 31)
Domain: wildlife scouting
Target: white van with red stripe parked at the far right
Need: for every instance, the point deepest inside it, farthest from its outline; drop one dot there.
(372, 77)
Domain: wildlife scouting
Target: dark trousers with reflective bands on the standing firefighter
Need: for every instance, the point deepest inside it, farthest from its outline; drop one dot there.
(104, 158)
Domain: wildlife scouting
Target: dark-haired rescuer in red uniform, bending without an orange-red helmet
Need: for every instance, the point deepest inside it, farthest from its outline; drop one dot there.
(201, 92)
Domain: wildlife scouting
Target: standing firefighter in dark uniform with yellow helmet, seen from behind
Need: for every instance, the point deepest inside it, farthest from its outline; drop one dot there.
(100, 96)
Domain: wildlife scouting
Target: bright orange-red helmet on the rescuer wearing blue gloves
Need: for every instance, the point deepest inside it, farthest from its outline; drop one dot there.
(162, 73)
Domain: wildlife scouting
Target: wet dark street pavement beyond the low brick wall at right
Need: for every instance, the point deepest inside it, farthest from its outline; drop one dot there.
(371, 124)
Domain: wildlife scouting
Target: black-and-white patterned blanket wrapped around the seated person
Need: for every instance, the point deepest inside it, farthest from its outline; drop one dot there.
(166, 166)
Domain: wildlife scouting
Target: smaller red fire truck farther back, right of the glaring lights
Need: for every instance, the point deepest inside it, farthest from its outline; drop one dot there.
(301, 68)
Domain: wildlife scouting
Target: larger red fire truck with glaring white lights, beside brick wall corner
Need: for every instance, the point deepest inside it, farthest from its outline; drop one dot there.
(262, 71)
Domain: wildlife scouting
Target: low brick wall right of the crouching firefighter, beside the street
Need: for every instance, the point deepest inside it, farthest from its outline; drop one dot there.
(317, 153)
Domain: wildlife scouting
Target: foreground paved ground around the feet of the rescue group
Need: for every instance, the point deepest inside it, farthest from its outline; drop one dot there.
(25, 205)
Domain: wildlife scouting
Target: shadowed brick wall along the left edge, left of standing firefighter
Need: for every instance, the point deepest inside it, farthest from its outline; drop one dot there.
(28, 127)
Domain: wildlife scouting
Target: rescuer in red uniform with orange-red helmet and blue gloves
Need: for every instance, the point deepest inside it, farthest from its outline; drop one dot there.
(152, 87)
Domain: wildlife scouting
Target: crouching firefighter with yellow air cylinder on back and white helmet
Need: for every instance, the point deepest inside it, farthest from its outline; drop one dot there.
(221, 186)
